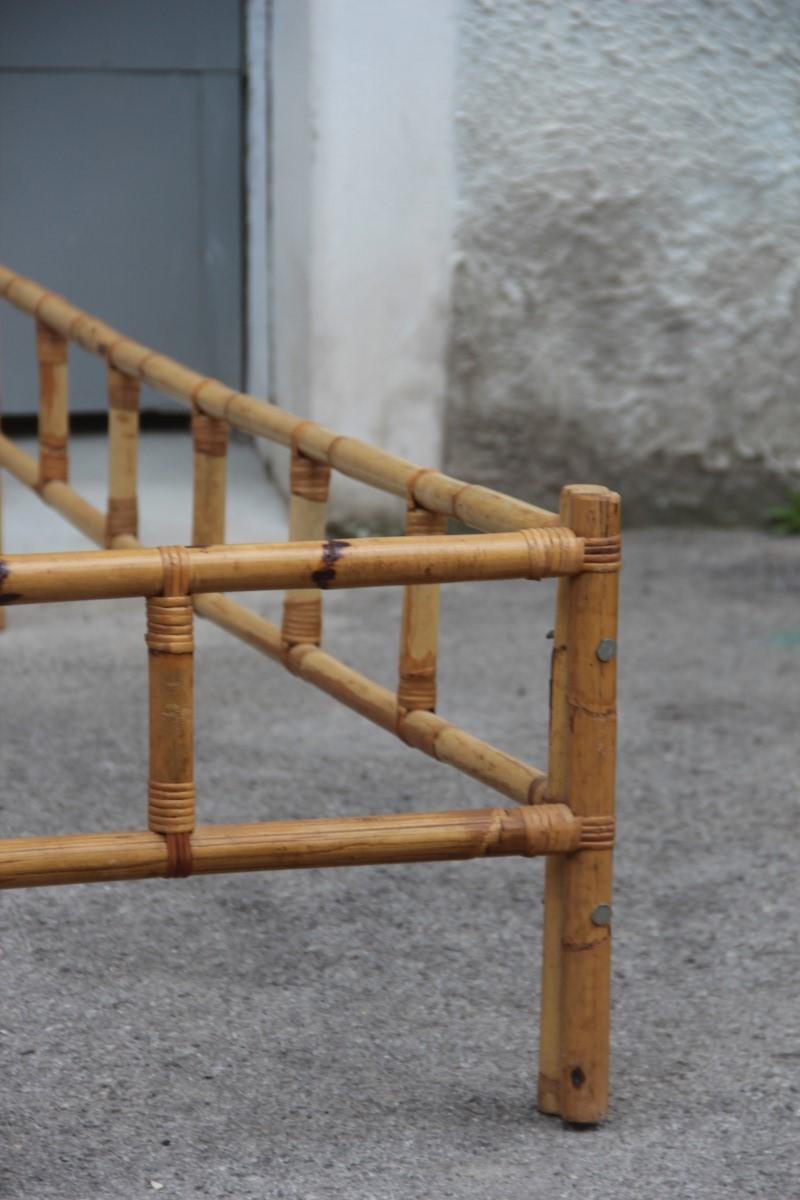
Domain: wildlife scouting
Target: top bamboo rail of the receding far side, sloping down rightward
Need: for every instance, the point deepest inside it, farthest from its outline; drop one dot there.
(477, 507)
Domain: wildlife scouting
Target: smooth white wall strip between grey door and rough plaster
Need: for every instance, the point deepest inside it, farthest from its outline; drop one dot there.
(363, 201)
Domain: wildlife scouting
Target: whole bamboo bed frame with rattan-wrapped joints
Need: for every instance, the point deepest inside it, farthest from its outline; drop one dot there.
(567, 813)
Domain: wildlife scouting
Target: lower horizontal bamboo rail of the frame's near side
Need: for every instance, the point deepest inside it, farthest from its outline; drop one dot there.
(287, 845)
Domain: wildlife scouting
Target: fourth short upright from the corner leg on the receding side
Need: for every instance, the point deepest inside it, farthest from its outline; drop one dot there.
(123, 514)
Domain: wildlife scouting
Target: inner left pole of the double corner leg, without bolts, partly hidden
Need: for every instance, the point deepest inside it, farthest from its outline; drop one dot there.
(550, 1041)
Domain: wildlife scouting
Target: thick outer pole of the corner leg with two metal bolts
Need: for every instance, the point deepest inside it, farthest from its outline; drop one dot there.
(591, 682)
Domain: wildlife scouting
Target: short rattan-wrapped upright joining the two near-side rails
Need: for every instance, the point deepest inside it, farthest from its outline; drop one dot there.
(171, 646)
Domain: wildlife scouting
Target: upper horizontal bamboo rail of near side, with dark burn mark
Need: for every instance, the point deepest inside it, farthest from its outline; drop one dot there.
(366, 562)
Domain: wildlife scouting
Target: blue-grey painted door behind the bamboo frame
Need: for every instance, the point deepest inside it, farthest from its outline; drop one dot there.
(121, 179)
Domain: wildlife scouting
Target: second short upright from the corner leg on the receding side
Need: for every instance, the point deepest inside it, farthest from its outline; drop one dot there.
(309, 484)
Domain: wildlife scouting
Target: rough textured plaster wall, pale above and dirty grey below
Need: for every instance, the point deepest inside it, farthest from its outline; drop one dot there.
(628, 280)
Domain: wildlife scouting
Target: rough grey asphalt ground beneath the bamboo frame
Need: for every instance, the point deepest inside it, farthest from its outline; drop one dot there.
(372, 1034)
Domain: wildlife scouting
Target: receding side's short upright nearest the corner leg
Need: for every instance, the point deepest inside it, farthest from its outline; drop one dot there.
(417, 687)
